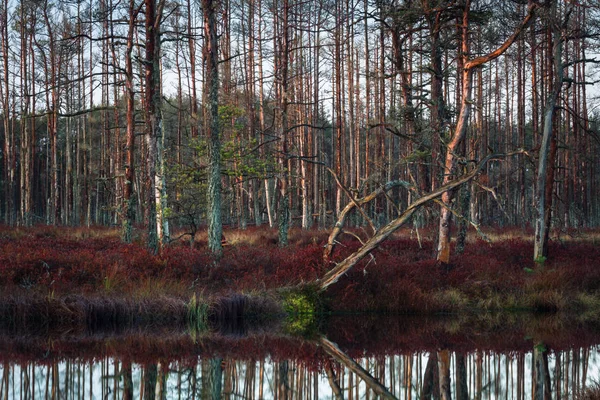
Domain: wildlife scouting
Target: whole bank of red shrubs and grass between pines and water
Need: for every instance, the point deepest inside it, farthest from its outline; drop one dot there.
(60, 275)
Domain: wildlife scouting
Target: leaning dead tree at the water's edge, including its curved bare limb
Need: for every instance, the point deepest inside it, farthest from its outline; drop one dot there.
(380, 235)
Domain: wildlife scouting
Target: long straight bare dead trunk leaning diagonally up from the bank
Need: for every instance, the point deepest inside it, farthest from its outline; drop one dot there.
(344, 266)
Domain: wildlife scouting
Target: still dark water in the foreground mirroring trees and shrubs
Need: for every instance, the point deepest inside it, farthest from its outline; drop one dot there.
(350, 358)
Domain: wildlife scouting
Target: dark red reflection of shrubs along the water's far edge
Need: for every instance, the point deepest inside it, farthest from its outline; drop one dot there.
(367, 336)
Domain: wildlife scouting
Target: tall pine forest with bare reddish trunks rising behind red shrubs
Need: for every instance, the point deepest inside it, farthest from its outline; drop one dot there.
(106, 117)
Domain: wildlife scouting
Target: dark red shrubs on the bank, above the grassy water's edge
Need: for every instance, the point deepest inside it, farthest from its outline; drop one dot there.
(401, 276)
